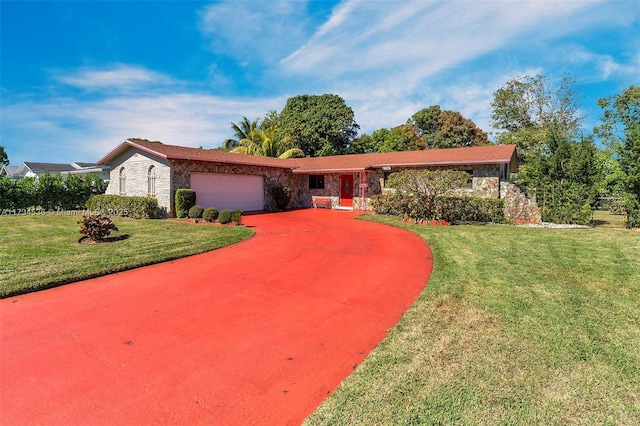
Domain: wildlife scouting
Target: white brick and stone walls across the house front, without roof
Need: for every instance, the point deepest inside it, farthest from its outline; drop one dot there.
(137, 173)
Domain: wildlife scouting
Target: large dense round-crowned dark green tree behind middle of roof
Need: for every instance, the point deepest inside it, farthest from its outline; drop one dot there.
(319, 125)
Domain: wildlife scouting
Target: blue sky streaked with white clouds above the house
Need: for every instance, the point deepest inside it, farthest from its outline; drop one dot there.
(79, 77)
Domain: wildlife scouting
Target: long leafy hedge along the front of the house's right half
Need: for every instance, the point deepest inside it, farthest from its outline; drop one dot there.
(450, 208)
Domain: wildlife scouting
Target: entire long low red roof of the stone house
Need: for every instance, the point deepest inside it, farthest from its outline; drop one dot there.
(492, 154)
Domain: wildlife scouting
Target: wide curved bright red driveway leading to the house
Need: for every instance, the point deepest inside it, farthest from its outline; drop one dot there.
(256, 333)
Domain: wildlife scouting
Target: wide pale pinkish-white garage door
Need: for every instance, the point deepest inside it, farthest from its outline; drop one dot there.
(228, 191)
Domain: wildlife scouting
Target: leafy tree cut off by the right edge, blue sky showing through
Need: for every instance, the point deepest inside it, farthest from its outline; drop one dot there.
(621, 131)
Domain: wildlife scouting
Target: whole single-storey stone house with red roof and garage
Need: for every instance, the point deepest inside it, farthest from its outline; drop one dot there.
(237, 181)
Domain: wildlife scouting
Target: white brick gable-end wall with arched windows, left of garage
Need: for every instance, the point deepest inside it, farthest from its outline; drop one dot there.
(136, 164)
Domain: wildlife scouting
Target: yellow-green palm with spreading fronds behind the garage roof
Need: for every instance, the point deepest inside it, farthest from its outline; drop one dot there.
(267, 143)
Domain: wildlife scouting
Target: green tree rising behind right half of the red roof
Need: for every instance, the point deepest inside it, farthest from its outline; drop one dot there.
(446, 129)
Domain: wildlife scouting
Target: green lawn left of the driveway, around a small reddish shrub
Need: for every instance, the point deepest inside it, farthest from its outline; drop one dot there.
(38, 252)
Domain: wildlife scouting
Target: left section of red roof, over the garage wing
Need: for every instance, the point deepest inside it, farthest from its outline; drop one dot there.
(175, 152)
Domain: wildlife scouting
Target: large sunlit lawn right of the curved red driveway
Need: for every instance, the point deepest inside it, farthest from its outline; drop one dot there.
(516, 326)
